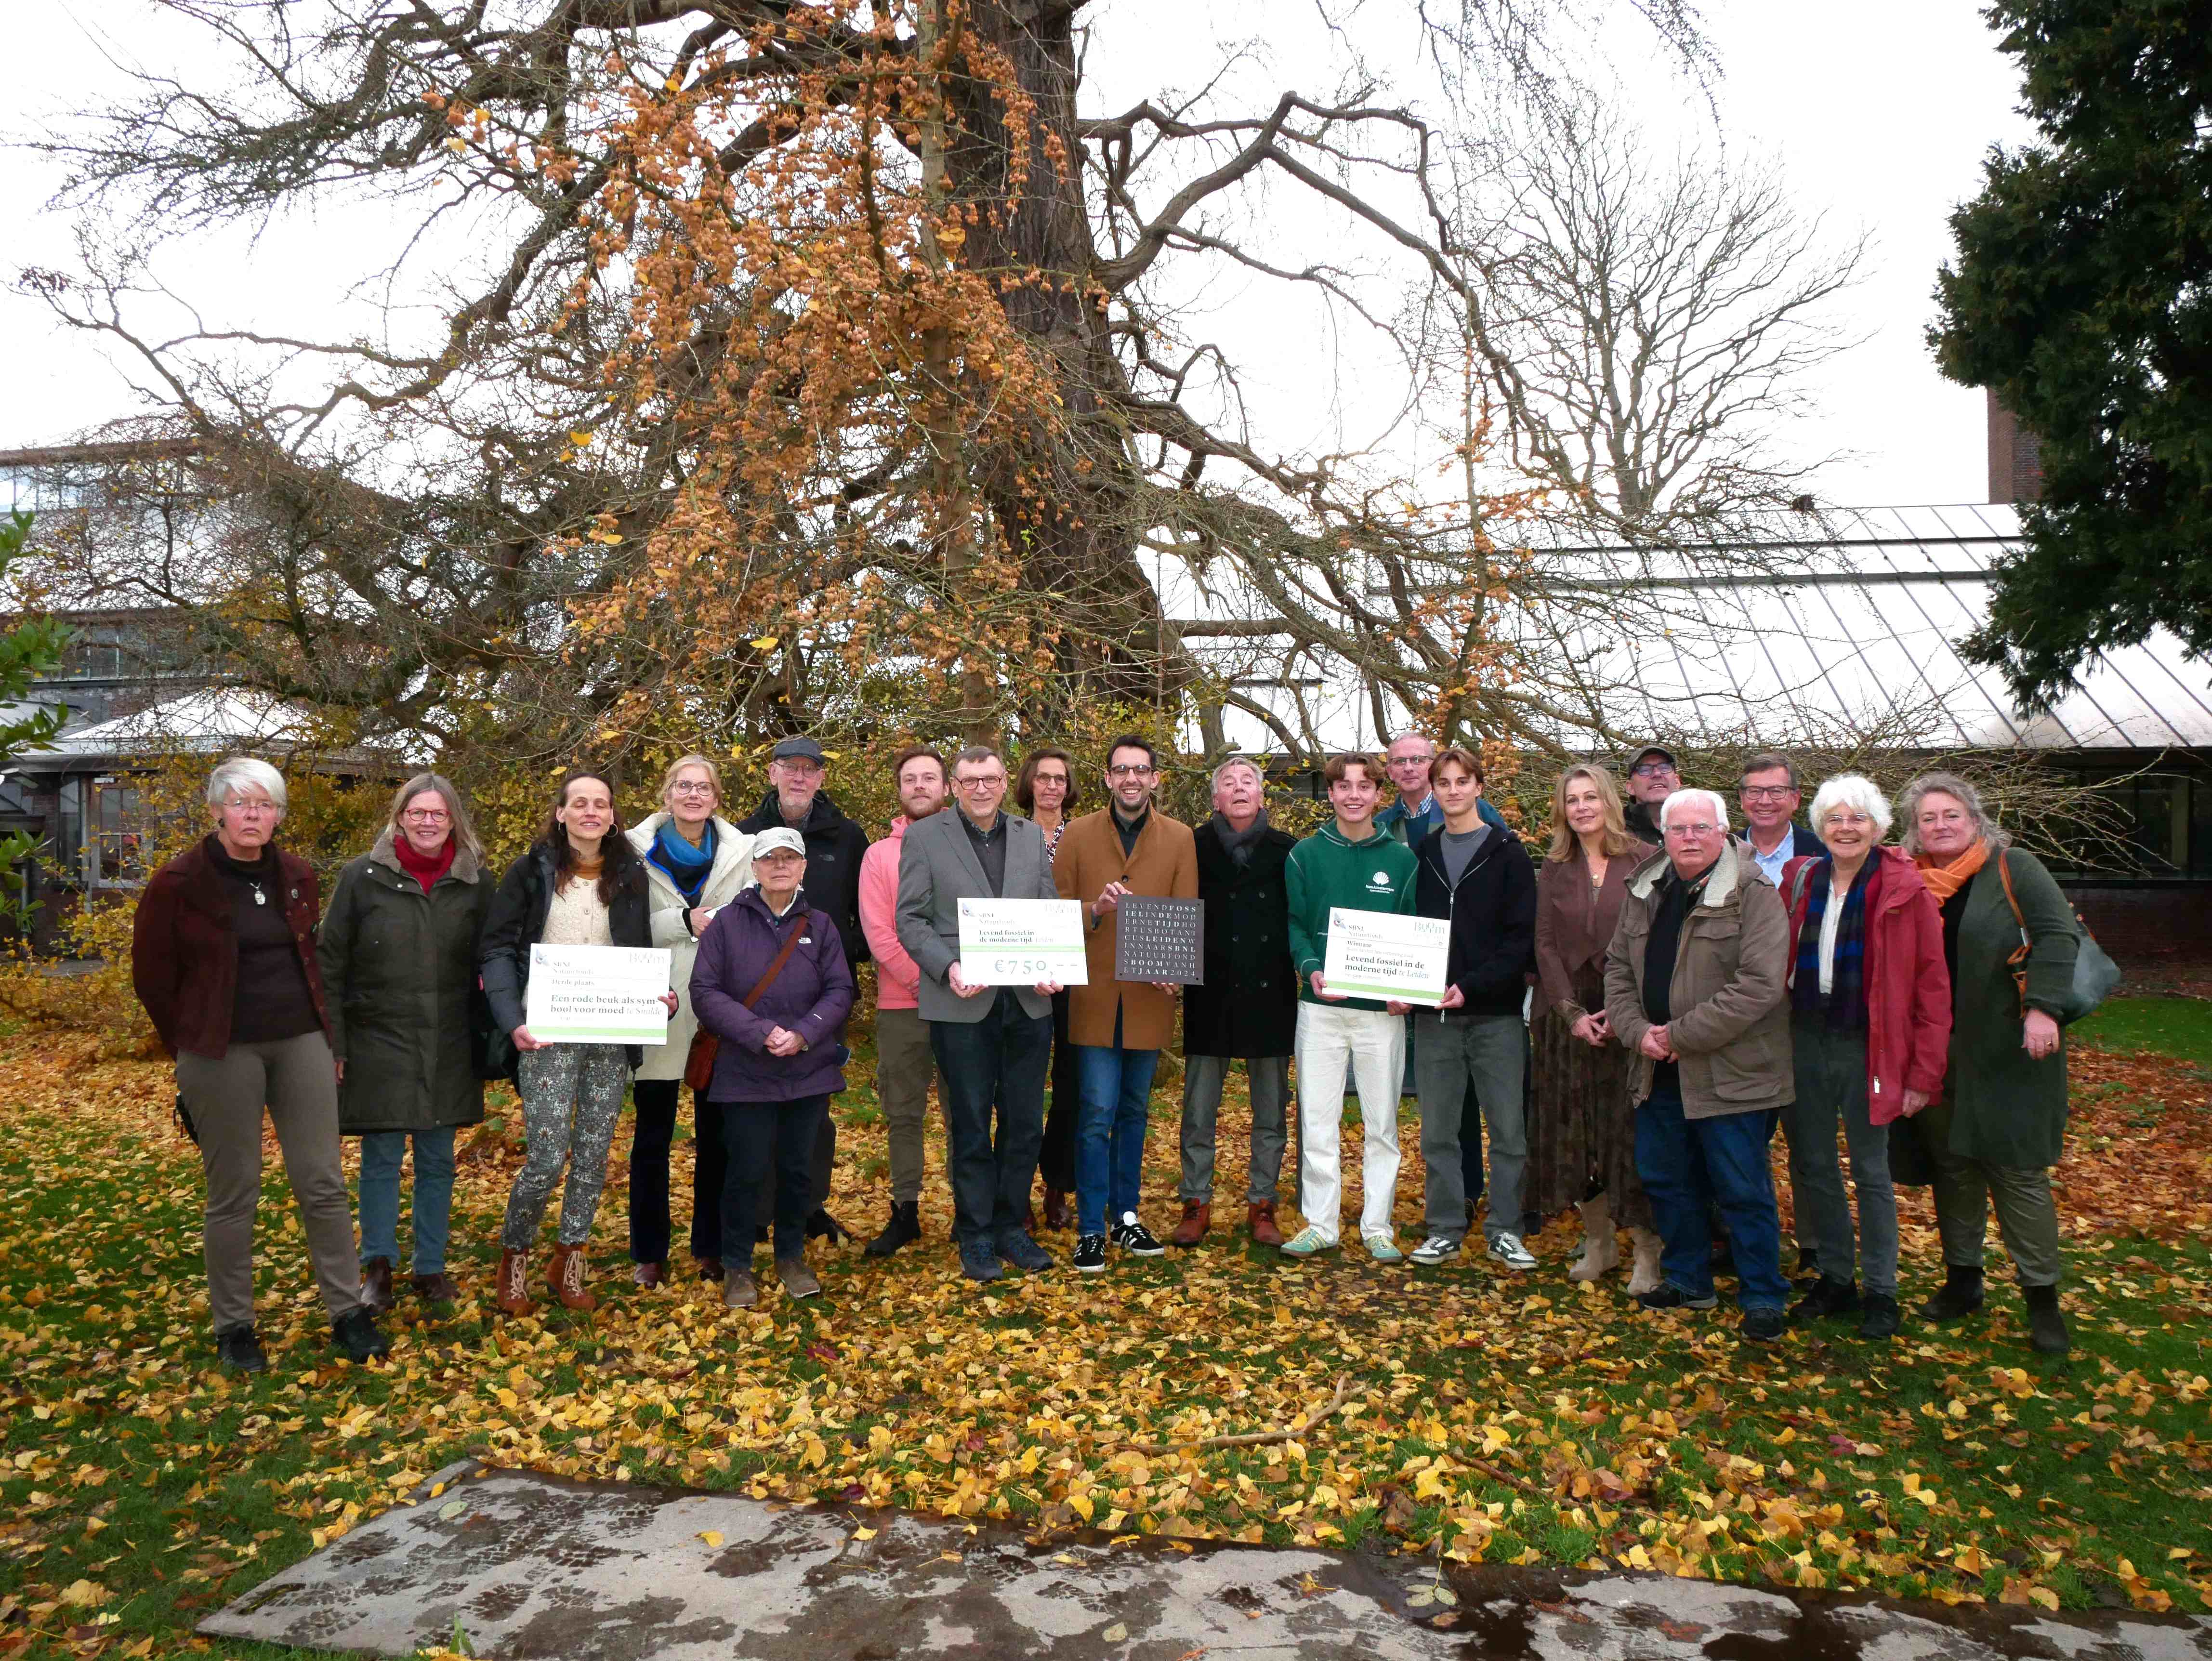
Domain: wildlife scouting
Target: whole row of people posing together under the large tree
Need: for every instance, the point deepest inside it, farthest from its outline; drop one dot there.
(1631, 1016)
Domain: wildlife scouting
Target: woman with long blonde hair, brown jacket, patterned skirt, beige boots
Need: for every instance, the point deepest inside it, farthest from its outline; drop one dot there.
(1583, 1134)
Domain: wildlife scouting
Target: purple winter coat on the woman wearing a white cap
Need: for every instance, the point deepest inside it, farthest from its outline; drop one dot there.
(811, 999)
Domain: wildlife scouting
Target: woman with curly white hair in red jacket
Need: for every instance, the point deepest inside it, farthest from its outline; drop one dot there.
(1872, 1030)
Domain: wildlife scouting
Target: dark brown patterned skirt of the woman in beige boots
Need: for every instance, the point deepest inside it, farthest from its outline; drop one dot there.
(1583, 1131)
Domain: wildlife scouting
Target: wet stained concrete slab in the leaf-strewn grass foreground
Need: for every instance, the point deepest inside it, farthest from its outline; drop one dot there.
(528, 1565)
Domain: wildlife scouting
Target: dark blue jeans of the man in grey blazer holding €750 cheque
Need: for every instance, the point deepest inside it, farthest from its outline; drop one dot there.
(992, 1069)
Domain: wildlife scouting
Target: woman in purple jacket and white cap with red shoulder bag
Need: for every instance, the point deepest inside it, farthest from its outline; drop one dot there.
(773, 985)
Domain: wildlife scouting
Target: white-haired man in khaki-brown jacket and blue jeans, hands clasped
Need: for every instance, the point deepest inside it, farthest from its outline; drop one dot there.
(1695, 988)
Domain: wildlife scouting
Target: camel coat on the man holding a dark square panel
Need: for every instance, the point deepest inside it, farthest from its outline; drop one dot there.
(1165, 864)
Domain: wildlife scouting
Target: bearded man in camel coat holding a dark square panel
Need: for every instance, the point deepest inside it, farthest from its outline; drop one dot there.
(1118, 1027)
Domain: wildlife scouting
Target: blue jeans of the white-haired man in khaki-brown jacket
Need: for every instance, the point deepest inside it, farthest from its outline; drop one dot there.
(1689, 1169)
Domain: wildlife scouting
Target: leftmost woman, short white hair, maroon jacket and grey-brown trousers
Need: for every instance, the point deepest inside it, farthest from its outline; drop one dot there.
(222, 957)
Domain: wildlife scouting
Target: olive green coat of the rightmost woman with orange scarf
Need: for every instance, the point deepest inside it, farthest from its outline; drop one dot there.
(2007, 1107)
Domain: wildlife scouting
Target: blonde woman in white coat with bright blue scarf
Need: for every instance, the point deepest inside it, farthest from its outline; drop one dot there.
(696, 864)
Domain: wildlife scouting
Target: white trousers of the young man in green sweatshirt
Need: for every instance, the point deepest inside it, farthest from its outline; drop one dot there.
(1370, 1045)
